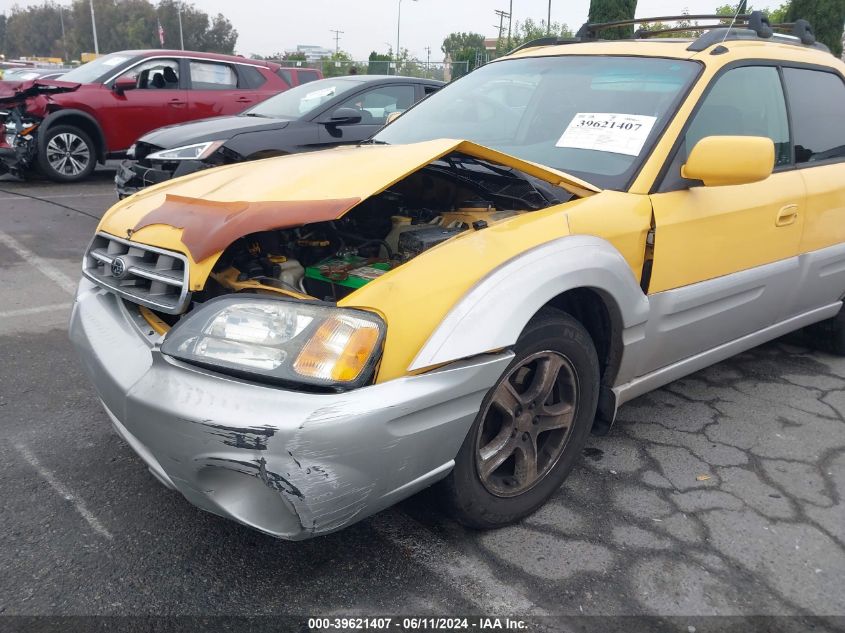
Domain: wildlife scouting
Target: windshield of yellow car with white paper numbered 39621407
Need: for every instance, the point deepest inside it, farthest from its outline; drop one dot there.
(593, 117)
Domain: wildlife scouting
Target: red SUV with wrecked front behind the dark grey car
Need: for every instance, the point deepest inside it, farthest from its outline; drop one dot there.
(96, 111)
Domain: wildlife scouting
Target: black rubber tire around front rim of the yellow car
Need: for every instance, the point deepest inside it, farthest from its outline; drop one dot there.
(473, 503)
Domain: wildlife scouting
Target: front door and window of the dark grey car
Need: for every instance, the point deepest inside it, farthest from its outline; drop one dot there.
(374, 105)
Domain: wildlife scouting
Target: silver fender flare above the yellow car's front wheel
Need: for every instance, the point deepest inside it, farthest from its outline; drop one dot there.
(495, 311)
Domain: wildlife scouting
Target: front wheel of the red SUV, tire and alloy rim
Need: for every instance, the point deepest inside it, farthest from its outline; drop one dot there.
(66, 154)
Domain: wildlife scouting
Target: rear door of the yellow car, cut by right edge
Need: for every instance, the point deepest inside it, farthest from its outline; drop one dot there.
(817, 106)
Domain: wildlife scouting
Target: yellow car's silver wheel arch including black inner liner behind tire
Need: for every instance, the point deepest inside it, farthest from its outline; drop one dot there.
(584, 276)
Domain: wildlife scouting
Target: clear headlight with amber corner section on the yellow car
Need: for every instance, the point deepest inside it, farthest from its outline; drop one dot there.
(280, 340)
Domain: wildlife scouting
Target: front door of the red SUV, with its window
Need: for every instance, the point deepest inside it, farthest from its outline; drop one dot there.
(159, 99)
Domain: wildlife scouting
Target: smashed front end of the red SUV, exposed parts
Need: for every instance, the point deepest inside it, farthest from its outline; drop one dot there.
(23, 107)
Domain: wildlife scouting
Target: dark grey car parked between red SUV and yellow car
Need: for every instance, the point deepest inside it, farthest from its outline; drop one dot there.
(322, 114)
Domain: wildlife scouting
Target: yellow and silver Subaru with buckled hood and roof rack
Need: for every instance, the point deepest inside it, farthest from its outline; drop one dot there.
(299, 342)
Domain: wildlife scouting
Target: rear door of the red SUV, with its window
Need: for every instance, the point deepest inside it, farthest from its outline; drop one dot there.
(214, 90)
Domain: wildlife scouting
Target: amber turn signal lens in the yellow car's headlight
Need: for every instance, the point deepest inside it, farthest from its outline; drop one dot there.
(339, 350)
